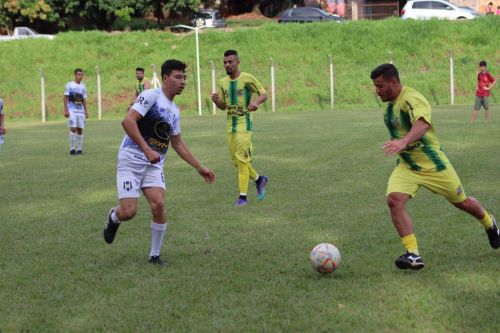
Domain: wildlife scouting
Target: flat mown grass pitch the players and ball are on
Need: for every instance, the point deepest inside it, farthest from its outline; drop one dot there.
(245, 270)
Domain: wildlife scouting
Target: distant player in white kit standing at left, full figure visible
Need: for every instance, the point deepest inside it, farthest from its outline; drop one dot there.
(75, 109)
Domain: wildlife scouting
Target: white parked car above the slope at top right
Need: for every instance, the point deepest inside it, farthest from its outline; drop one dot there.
(440, 9)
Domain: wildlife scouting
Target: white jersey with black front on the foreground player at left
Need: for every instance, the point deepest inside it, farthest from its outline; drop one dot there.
(161, 120)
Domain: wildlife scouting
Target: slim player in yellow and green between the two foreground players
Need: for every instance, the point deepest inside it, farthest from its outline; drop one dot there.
(235, 95)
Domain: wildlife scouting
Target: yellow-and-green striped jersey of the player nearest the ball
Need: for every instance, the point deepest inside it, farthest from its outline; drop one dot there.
(424, 154)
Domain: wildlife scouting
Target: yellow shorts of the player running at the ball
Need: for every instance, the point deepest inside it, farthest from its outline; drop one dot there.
(445, 183)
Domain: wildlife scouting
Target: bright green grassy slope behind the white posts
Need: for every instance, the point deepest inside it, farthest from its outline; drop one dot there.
(420, 50)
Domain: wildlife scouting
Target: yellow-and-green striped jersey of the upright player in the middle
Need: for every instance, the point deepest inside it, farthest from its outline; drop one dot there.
(237, 95)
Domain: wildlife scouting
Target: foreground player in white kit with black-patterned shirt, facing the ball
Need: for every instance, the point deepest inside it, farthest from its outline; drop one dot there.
(151, 124)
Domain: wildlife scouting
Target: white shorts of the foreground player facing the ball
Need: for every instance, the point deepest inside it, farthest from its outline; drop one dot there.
(132, 177)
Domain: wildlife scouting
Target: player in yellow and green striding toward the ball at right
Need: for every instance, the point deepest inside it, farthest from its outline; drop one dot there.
(421, 163)
